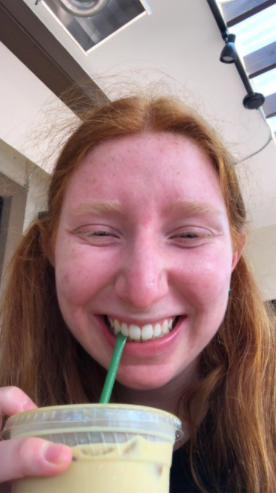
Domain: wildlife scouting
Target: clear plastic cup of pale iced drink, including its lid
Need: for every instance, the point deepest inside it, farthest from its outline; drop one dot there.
(115, 448)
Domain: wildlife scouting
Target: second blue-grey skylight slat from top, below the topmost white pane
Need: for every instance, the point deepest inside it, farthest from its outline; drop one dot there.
(261, 61)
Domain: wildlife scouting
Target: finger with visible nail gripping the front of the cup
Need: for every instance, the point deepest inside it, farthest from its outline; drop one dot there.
(25, 457)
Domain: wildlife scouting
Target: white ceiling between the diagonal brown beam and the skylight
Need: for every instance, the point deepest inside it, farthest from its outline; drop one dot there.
(177, 49)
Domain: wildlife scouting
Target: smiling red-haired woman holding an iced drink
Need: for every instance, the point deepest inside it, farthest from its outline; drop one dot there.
(144, 234)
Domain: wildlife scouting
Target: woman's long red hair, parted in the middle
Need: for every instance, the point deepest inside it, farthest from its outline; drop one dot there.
(237, 368)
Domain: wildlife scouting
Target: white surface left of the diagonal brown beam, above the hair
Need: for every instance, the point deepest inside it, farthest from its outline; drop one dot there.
(24, 103)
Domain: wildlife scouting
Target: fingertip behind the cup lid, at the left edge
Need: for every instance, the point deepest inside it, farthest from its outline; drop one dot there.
(13, 400)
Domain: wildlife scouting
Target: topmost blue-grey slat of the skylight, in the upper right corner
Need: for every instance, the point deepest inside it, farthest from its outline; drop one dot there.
(238, 11)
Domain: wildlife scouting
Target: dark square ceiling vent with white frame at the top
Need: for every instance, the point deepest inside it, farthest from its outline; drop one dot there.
(89, 32)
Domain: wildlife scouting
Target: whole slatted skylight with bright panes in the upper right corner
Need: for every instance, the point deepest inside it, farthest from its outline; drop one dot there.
(254, 24)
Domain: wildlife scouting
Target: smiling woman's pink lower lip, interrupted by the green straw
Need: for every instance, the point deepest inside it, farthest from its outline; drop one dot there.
(149, 348)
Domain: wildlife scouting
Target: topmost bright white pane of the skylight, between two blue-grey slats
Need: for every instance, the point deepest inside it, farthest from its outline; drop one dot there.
(256, 31)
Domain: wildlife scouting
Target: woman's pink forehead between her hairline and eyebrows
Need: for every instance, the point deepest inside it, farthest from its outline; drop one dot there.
(146, 166)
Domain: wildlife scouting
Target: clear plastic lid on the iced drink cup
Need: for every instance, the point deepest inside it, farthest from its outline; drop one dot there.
(116, 417)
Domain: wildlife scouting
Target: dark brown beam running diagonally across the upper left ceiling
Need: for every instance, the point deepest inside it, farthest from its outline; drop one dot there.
(30, 41)
